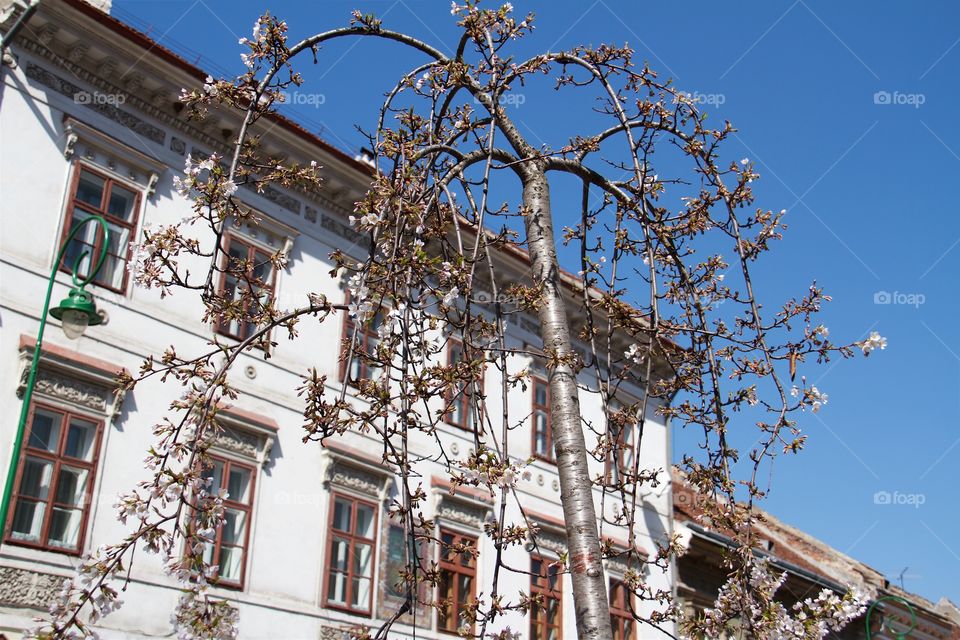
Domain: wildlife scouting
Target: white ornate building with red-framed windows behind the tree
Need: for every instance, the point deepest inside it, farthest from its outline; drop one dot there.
(89, 122)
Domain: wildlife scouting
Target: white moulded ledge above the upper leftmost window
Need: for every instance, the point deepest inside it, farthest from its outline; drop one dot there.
(140, 168)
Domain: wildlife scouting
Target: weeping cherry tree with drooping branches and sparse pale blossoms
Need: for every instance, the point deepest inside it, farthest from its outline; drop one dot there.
(435, 237)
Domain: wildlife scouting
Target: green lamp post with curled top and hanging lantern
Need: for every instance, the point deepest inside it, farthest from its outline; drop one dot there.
(75, 312)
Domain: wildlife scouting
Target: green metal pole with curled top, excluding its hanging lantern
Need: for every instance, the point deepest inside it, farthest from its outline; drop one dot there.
(32, 376)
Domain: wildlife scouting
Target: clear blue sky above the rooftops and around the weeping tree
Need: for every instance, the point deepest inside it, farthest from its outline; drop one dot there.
(866, 179)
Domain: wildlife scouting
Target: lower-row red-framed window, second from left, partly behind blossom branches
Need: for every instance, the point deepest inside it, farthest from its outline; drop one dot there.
(229, 549)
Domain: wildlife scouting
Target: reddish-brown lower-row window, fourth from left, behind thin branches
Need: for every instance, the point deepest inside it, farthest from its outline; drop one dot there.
(458, 571)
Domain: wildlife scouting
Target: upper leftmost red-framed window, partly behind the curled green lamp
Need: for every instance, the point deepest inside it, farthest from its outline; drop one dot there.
(93, 193)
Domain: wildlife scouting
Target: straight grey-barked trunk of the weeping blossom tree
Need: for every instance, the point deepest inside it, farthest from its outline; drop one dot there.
(576, 489)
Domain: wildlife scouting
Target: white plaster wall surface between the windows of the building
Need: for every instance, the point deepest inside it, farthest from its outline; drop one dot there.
(285, 567)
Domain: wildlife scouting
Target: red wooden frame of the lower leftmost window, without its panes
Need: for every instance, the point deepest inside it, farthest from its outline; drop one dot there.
(58, 459)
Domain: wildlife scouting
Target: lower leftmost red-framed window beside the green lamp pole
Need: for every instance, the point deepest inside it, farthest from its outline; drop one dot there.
(52, 498)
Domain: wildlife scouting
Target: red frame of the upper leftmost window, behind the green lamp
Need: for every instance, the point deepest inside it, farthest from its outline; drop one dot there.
(102, 210)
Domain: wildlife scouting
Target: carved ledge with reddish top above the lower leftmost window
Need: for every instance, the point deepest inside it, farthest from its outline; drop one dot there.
(71, 378)
